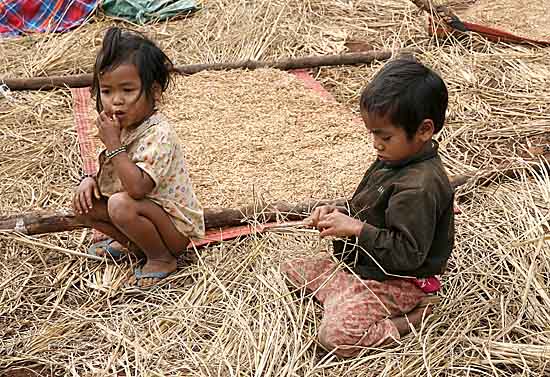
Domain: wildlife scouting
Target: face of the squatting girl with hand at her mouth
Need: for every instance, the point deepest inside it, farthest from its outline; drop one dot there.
(121, 96)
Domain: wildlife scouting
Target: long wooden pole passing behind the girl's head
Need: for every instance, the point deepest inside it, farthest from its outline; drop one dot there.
(84, 80)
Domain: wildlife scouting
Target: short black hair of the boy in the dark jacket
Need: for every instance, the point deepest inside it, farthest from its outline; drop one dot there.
(408, 92)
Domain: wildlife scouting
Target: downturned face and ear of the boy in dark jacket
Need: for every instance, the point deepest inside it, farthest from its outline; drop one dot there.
(390, 142)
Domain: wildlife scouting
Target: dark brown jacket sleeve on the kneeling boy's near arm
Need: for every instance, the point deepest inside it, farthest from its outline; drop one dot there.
(404, 244)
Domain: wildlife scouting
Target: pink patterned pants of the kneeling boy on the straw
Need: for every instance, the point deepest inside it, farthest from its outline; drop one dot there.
(357, 312)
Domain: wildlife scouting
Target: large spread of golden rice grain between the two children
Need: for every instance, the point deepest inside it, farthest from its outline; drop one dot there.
(263, 131)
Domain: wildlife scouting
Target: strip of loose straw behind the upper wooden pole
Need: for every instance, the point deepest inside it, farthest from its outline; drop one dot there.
(228, 30)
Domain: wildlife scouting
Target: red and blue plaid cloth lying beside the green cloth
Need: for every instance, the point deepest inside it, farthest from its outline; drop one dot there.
(20, 16)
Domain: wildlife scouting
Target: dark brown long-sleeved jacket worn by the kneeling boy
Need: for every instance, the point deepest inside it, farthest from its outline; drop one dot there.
(407, 208)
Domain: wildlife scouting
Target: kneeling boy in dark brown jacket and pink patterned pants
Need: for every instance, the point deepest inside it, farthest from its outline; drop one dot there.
(399, 232)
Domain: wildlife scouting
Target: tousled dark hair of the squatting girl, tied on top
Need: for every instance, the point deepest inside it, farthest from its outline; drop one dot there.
(126, 46)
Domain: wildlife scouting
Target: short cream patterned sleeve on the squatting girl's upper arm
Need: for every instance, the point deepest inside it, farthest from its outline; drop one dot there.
(154, 154)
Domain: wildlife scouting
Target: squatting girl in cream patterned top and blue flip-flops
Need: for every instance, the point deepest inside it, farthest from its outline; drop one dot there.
(142, 196)
